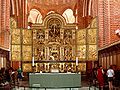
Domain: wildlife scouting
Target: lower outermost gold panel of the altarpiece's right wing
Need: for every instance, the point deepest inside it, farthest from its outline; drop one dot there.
(92, 52)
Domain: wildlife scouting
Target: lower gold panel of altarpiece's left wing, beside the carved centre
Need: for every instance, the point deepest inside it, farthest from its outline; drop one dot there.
(27, 53)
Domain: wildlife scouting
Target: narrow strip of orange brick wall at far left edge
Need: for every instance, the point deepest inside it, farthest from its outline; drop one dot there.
(4, 23)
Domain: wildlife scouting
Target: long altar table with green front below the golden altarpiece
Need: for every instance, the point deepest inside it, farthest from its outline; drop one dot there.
(55, 80)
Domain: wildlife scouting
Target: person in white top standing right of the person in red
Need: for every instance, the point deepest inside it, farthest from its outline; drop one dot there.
(110, 75)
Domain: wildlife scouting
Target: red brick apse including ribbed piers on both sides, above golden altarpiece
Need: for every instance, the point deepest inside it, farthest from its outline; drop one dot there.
(82, 9)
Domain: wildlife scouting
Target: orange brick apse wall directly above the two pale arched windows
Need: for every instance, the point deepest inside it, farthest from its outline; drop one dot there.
(45, 6)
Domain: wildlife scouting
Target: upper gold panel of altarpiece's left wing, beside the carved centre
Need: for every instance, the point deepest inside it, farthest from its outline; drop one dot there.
(27, 36)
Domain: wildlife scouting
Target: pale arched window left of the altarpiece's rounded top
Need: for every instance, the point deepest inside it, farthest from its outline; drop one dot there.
(35, 16)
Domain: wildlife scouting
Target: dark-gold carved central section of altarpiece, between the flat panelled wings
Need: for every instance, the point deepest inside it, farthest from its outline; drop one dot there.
(56, 40)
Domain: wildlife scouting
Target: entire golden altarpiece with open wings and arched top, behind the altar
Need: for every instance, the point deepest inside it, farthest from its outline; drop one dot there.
(54, 44)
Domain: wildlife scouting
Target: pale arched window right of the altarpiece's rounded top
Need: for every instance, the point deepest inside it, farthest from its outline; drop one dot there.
(68, 15)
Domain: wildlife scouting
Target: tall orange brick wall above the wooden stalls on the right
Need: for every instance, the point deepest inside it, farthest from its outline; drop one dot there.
(109, 21)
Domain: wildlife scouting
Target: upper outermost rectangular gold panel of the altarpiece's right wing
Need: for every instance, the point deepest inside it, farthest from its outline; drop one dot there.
(92, 36)
